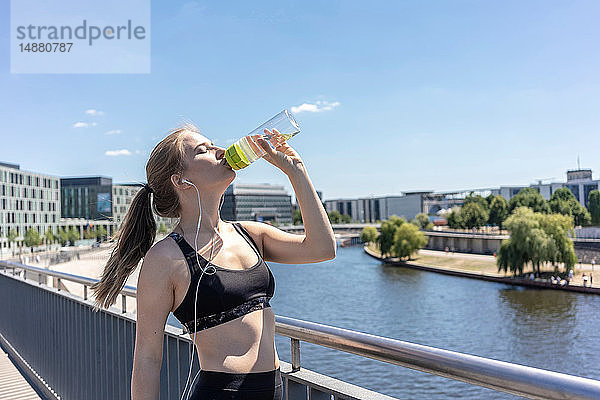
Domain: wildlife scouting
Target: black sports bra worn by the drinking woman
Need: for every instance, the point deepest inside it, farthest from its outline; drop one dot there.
(225, 295)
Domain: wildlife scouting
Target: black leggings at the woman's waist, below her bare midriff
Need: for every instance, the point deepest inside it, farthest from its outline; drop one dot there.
(216, 385)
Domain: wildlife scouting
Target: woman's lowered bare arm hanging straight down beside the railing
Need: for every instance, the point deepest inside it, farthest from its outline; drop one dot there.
(154, 302)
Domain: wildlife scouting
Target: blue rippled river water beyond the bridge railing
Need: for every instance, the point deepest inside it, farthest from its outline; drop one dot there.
(547, 329)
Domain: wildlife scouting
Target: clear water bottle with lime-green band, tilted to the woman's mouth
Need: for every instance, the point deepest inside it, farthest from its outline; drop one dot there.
(247, 150)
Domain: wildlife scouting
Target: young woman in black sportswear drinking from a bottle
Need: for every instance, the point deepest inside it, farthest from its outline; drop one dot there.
(212, 275)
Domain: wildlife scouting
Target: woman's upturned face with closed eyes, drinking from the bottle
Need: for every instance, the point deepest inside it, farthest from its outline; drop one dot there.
(205, 163)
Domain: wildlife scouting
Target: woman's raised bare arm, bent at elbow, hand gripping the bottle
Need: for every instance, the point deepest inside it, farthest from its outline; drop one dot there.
(318, 241)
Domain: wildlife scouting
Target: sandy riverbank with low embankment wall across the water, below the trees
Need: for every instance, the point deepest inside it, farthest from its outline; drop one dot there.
(477, 268)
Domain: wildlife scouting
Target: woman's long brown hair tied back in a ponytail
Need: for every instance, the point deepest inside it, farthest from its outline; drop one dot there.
(138, 230)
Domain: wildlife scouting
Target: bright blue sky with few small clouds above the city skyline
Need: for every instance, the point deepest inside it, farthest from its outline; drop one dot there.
(412, 95)
